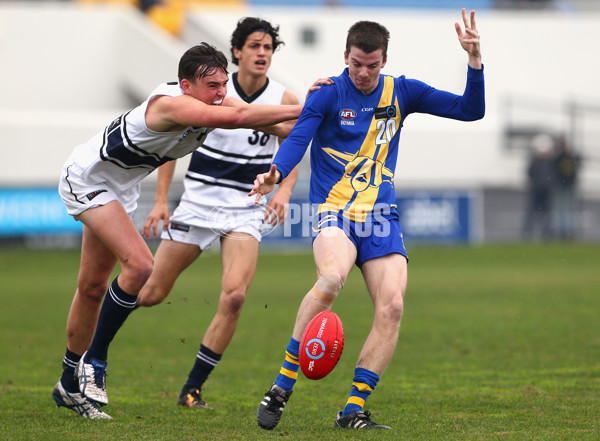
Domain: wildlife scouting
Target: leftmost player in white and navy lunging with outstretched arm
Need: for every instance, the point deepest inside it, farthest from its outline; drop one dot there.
(100, 185)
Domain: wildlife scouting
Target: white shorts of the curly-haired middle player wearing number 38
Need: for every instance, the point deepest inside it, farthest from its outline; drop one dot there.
(185, 227)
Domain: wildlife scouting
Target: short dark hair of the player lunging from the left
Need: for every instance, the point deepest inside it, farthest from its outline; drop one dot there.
(201, 61)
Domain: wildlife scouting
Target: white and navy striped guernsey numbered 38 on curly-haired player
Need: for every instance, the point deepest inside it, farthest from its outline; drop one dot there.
(223, 169)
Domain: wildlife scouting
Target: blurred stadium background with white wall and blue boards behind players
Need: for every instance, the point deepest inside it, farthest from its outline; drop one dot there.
(70, 67)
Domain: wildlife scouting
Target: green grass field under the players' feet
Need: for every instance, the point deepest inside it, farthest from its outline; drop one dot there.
(497, 343)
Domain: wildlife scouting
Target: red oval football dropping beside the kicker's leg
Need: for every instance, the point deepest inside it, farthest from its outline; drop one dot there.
(322, 345)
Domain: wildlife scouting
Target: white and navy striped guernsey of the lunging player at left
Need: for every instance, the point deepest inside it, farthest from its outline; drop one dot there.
(126, 151)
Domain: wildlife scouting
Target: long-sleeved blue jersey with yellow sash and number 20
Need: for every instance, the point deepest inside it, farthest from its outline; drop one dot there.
(355, 137)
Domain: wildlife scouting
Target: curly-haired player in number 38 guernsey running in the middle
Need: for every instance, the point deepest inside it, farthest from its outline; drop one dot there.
(216, 205)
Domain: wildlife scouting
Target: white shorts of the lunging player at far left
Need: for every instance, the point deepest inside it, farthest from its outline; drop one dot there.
(78, 195)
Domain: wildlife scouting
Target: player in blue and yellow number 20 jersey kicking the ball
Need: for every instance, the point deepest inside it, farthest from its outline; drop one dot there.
(354, 126)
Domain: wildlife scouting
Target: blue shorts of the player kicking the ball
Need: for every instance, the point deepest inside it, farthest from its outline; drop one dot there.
(378, 236)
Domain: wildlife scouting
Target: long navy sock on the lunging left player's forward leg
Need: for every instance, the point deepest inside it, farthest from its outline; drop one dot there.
(116, 308)
